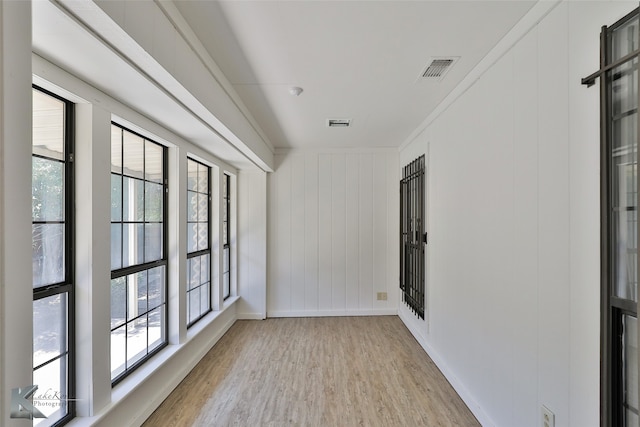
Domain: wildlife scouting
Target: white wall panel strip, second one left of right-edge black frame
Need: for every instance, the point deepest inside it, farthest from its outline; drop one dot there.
(553, 212)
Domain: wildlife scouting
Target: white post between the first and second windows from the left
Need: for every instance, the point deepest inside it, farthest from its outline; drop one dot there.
(93, 269)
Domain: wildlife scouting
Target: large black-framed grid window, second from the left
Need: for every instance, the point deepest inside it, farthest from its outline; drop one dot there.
(138, 250)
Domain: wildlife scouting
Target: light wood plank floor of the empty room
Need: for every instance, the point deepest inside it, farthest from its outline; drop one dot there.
(341, 371)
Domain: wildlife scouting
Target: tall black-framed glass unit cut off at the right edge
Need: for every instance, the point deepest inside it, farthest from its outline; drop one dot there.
(619, 81)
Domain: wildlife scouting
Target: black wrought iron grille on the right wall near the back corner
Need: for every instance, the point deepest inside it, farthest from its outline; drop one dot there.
(412, 261)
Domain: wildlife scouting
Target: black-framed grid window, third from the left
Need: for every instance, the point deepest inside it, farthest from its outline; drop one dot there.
(198, 241)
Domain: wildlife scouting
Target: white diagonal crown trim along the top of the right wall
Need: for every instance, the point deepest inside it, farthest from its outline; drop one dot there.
(536, 14)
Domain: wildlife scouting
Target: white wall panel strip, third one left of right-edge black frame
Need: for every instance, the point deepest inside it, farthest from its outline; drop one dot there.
(525, 268)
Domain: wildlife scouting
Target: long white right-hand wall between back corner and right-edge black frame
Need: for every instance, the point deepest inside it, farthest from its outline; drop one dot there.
(513, 205)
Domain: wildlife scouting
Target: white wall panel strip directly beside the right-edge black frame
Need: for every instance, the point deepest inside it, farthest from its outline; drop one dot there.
(584, 208)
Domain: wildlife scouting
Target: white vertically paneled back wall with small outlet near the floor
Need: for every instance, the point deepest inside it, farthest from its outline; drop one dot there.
(333, 228)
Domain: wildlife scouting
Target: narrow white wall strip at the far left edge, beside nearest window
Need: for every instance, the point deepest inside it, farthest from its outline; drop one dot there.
(15, 204)
